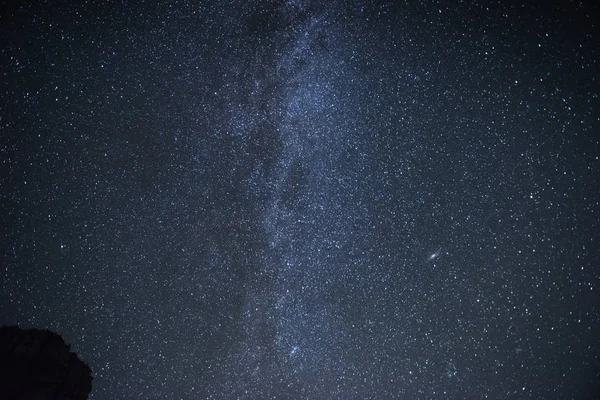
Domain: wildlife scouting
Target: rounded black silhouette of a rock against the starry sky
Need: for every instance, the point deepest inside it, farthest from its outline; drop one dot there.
(38, 364)
